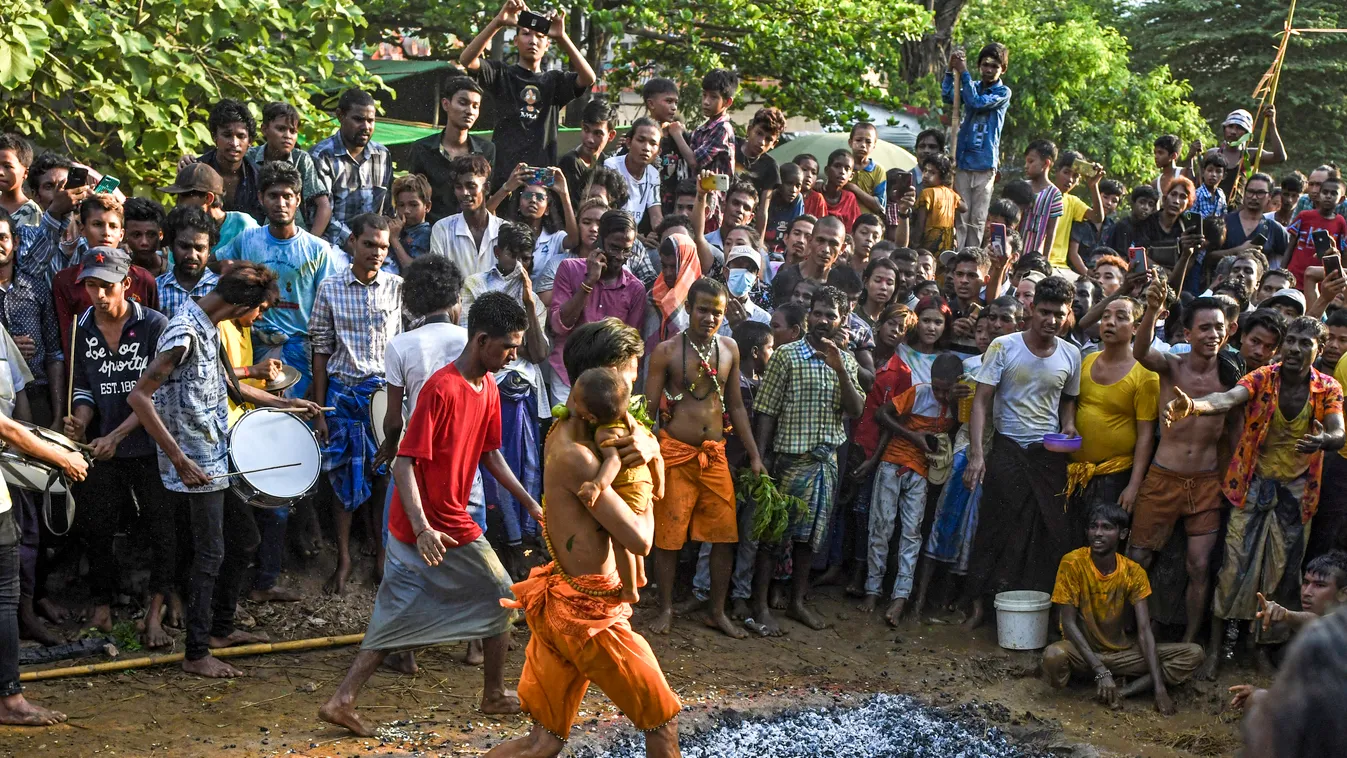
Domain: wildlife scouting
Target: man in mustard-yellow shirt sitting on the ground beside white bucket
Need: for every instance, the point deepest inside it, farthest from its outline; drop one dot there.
(1094, 588)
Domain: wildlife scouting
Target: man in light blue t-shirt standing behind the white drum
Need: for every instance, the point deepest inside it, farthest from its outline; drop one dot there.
(301, 263)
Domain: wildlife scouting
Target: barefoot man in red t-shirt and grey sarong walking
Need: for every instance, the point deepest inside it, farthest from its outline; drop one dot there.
(442, 582)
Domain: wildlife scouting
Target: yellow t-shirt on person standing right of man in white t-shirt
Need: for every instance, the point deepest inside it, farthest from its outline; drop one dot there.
(1108, 414)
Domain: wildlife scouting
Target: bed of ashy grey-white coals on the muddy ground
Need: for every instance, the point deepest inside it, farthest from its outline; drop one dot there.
(884, 726)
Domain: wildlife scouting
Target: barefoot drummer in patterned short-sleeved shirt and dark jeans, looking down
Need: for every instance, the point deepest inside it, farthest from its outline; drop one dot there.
(181, 401)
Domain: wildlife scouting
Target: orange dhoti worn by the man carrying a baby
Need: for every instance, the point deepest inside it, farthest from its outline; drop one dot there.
(580, 639)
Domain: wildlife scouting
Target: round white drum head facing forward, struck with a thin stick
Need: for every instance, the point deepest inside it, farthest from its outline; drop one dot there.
(267, 438)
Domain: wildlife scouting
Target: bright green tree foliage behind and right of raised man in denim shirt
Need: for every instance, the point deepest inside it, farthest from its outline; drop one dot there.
(1073, 84)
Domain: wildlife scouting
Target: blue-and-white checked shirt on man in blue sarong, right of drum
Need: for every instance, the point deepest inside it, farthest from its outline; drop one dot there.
(354, 322)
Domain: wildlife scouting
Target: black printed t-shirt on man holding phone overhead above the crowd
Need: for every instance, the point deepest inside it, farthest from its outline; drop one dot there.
(530, 110)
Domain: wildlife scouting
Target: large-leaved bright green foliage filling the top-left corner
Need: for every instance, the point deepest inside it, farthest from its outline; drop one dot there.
(129, 85)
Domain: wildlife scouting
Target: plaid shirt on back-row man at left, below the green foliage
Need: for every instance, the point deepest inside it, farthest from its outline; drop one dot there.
(358, 185)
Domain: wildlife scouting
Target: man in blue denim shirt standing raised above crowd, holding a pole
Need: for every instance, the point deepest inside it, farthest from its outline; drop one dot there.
(980, 134)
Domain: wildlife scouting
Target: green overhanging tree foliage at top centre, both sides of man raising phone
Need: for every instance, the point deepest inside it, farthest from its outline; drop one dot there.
(816, 59)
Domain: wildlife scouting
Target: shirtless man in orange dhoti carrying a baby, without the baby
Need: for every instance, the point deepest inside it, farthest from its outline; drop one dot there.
(581, 633)
